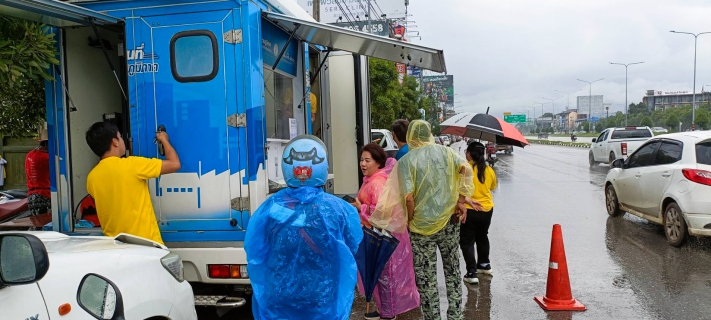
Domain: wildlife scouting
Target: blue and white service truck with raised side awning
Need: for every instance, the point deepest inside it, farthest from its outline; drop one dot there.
(232, 81)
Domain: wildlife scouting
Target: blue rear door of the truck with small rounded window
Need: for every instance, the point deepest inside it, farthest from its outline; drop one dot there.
(183, 73)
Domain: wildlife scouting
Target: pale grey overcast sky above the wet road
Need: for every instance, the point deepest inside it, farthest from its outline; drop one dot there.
(508, 54)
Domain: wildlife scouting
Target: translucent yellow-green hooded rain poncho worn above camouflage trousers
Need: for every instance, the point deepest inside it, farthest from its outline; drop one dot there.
(435, 176)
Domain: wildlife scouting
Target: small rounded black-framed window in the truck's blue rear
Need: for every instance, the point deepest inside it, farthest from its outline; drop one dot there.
(194, 56)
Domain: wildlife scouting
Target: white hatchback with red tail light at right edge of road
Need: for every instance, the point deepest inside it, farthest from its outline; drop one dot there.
(666, 181)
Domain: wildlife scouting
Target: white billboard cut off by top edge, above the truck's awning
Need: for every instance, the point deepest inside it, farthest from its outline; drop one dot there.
(333, 11)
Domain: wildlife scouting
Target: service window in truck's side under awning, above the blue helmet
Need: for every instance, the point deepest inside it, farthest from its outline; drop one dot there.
(279, 100)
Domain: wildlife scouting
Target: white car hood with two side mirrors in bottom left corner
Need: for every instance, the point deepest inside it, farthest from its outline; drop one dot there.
(49, 275)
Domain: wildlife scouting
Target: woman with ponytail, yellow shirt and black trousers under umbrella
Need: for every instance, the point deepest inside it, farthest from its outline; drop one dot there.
(474, 231)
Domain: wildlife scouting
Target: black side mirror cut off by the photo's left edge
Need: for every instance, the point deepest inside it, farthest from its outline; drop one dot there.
(23, 259)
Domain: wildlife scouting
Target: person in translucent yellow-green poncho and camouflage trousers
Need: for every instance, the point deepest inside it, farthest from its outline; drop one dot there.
(427, 192)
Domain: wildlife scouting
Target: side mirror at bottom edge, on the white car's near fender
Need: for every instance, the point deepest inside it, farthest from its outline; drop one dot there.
(100, 298)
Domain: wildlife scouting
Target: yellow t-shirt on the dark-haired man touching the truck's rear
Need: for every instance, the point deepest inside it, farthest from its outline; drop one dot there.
(120, 190)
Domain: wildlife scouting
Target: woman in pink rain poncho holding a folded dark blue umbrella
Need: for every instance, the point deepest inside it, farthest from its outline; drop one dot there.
(396, 291)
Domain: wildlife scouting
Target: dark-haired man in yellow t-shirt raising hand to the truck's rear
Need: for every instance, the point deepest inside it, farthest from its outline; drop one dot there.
(119, 184)
